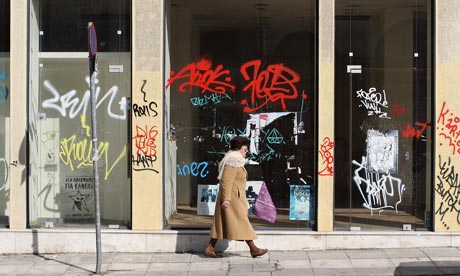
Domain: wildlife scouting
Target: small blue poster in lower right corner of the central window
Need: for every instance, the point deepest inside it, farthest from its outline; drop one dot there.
(301, 202)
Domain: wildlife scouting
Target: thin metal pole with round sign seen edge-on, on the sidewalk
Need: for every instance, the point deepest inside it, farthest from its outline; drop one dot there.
(92, 50)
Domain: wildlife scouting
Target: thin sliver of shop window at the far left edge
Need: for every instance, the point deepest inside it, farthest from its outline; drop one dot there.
(4, 110)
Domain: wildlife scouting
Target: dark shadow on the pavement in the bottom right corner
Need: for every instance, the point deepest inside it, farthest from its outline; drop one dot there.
(428, 268)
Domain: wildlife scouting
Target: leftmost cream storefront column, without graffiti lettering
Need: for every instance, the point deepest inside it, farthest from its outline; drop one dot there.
(18, 101)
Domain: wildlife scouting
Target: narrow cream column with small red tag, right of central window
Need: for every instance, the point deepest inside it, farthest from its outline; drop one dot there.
(325, 114)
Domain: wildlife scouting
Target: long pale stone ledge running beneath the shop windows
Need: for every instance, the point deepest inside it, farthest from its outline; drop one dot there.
(83, 240)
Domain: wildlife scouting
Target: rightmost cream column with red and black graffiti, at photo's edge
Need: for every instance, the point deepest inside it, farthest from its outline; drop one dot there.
(447, 117)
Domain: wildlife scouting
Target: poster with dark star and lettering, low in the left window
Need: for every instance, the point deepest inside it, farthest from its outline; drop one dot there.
(78, 199)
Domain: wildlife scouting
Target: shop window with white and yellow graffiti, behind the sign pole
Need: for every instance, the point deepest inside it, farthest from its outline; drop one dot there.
(61, 181)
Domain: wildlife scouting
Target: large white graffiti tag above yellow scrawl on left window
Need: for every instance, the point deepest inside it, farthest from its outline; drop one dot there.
(78, 107)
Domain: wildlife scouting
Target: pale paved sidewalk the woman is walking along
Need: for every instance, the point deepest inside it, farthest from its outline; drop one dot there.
(420, 261)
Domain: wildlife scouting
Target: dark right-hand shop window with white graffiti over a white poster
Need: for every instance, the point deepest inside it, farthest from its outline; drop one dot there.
(383, 119)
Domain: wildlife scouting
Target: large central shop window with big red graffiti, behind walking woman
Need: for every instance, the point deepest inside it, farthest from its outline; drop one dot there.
(241, 68)
